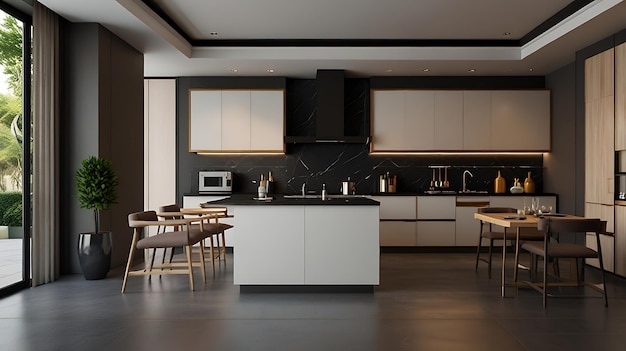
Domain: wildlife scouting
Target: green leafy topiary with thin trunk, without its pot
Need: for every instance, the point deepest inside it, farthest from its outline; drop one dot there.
(96, 184)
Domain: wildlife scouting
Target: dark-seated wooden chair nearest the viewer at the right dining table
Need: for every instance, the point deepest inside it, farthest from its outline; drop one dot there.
(550, 249)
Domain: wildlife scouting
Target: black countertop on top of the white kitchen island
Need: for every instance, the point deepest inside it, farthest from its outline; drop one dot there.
(334, 200)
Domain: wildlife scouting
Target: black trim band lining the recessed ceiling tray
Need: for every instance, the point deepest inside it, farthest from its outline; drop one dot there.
(535, 32)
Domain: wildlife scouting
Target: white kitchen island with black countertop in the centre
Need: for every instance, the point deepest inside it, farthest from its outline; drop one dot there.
(306, 244)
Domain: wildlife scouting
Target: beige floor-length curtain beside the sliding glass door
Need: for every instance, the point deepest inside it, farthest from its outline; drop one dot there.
(45, 234)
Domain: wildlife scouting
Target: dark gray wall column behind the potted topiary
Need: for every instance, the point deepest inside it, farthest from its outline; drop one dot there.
(102, 115)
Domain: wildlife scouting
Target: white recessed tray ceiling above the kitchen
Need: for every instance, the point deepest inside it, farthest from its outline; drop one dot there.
(167, 53)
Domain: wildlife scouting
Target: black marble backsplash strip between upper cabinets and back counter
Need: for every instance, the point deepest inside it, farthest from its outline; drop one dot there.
(330, 164)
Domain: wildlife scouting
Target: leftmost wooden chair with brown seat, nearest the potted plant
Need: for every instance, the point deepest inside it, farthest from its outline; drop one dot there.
(181, 235)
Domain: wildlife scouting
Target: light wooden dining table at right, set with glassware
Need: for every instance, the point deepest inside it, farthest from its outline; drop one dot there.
(511, 221)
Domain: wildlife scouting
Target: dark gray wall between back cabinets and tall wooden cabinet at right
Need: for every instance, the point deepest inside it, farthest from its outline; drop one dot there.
(560, 164)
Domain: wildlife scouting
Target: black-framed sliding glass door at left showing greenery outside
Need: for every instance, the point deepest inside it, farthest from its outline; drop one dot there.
(15, 170)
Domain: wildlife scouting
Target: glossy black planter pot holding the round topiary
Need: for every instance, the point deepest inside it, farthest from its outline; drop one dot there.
(94, 254)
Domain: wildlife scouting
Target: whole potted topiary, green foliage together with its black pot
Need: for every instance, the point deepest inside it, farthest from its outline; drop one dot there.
(96, 187)
